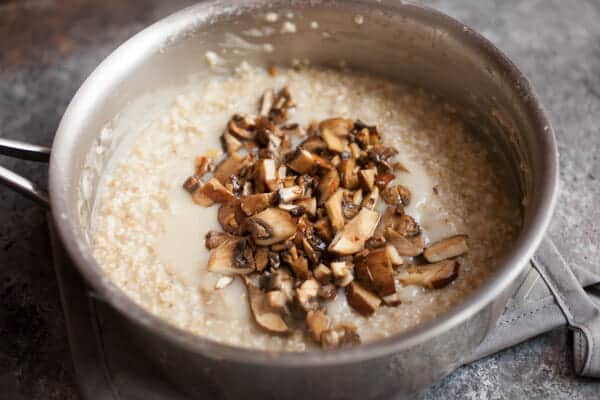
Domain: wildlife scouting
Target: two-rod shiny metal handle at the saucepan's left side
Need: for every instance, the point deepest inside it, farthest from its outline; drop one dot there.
(24, 151)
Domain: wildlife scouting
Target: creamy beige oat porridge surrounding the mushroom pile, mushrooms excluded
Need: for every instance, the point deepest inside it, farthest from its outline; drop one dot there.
(148, 234)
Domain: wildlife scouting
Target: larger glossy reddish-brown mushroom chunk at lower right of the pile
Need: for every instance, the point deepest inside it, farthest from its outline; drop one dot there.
(374, 271)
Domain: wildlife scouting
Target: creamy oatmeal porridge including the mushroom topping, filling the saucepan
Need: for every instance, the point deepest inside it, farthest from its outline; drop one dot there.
(396, 154)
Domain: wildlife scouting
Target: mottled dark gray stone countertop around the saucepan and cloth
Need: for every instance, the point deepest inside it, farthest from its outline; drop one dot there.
(48, 47)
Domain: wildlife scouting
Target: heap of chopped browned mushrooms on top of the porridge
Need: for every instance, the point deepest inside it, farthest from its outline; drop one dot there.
(301, 222)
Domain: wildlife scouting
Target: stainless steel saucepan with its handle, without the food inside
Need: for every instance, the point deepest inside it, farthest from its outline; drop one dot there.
(392, 39)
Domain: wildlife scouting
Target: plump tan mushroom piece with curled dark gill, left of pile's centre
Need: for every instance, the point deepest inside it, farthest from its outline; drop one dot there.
(271, 226)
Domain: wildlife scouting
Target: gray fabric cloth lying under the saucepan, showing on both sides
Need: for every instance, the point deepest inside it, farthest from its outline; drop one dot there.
(109, 367)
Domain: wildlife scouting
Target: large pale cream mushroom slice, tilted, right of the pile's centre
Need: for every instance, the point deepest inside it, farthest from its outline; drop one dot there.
(352, 238)
